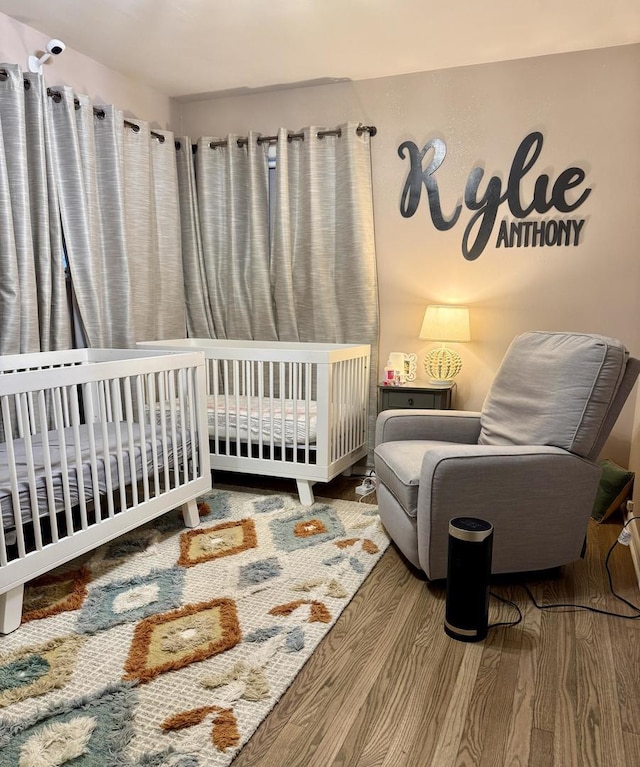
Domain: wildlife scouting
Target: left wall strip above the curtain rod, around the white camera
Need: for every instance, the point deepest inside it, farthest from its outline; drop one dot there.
(85, 75)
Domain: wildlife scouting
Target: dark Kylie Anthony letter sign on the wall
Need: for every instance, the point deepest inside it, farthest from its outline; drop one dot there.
(484, 206)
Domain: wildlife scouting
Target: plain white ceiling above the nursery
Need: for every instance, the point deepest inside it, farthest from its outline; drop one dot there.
(187, 48)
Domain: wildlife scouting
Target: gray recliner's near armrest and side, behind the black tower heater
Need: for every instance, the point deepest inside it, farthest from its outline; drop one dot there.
(539, 500)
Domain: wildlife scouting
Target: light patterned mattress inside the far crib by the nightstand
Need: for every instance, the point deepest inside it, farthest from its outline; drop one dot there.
(241, 418)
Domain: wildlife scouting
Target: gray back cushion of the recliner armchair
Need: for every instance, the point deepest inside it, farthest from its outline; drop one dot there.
(553, 389)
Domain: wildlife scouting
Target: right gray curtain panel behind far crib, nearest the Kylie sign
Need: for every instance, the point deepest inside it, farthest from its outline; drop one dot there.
(323, 259)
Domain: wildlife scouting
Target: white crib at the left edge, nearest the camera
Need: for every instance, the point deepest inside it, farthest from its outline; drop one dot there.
(93, 443)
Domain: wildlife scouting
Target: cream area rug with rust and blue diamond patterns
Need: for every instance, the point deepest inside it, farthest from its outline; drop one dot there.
(169, 646)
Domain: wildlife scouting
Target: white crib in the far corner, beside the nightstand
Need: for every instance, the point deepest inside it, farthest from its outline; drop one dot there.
(295, 410)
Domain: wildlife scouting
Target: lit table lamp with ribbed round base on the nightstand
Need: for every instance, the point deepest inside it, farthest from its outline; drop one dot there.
(444, 324)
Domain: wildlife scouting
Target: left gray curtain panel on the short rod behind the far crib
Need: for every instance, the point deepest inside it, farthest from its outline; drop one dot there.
(226, 239)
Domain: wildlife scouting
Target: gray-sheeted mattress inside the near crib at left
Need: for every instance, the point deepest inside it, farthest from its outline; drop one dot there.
(115, 432)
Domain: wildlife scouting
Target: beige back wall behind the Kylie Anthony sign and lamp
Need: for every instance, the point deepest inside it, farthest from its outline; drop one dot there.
(586, 106)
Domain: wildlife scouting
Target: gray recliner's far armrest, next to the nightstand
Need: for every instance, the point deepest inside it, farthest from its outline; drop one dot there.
(440, 425)
